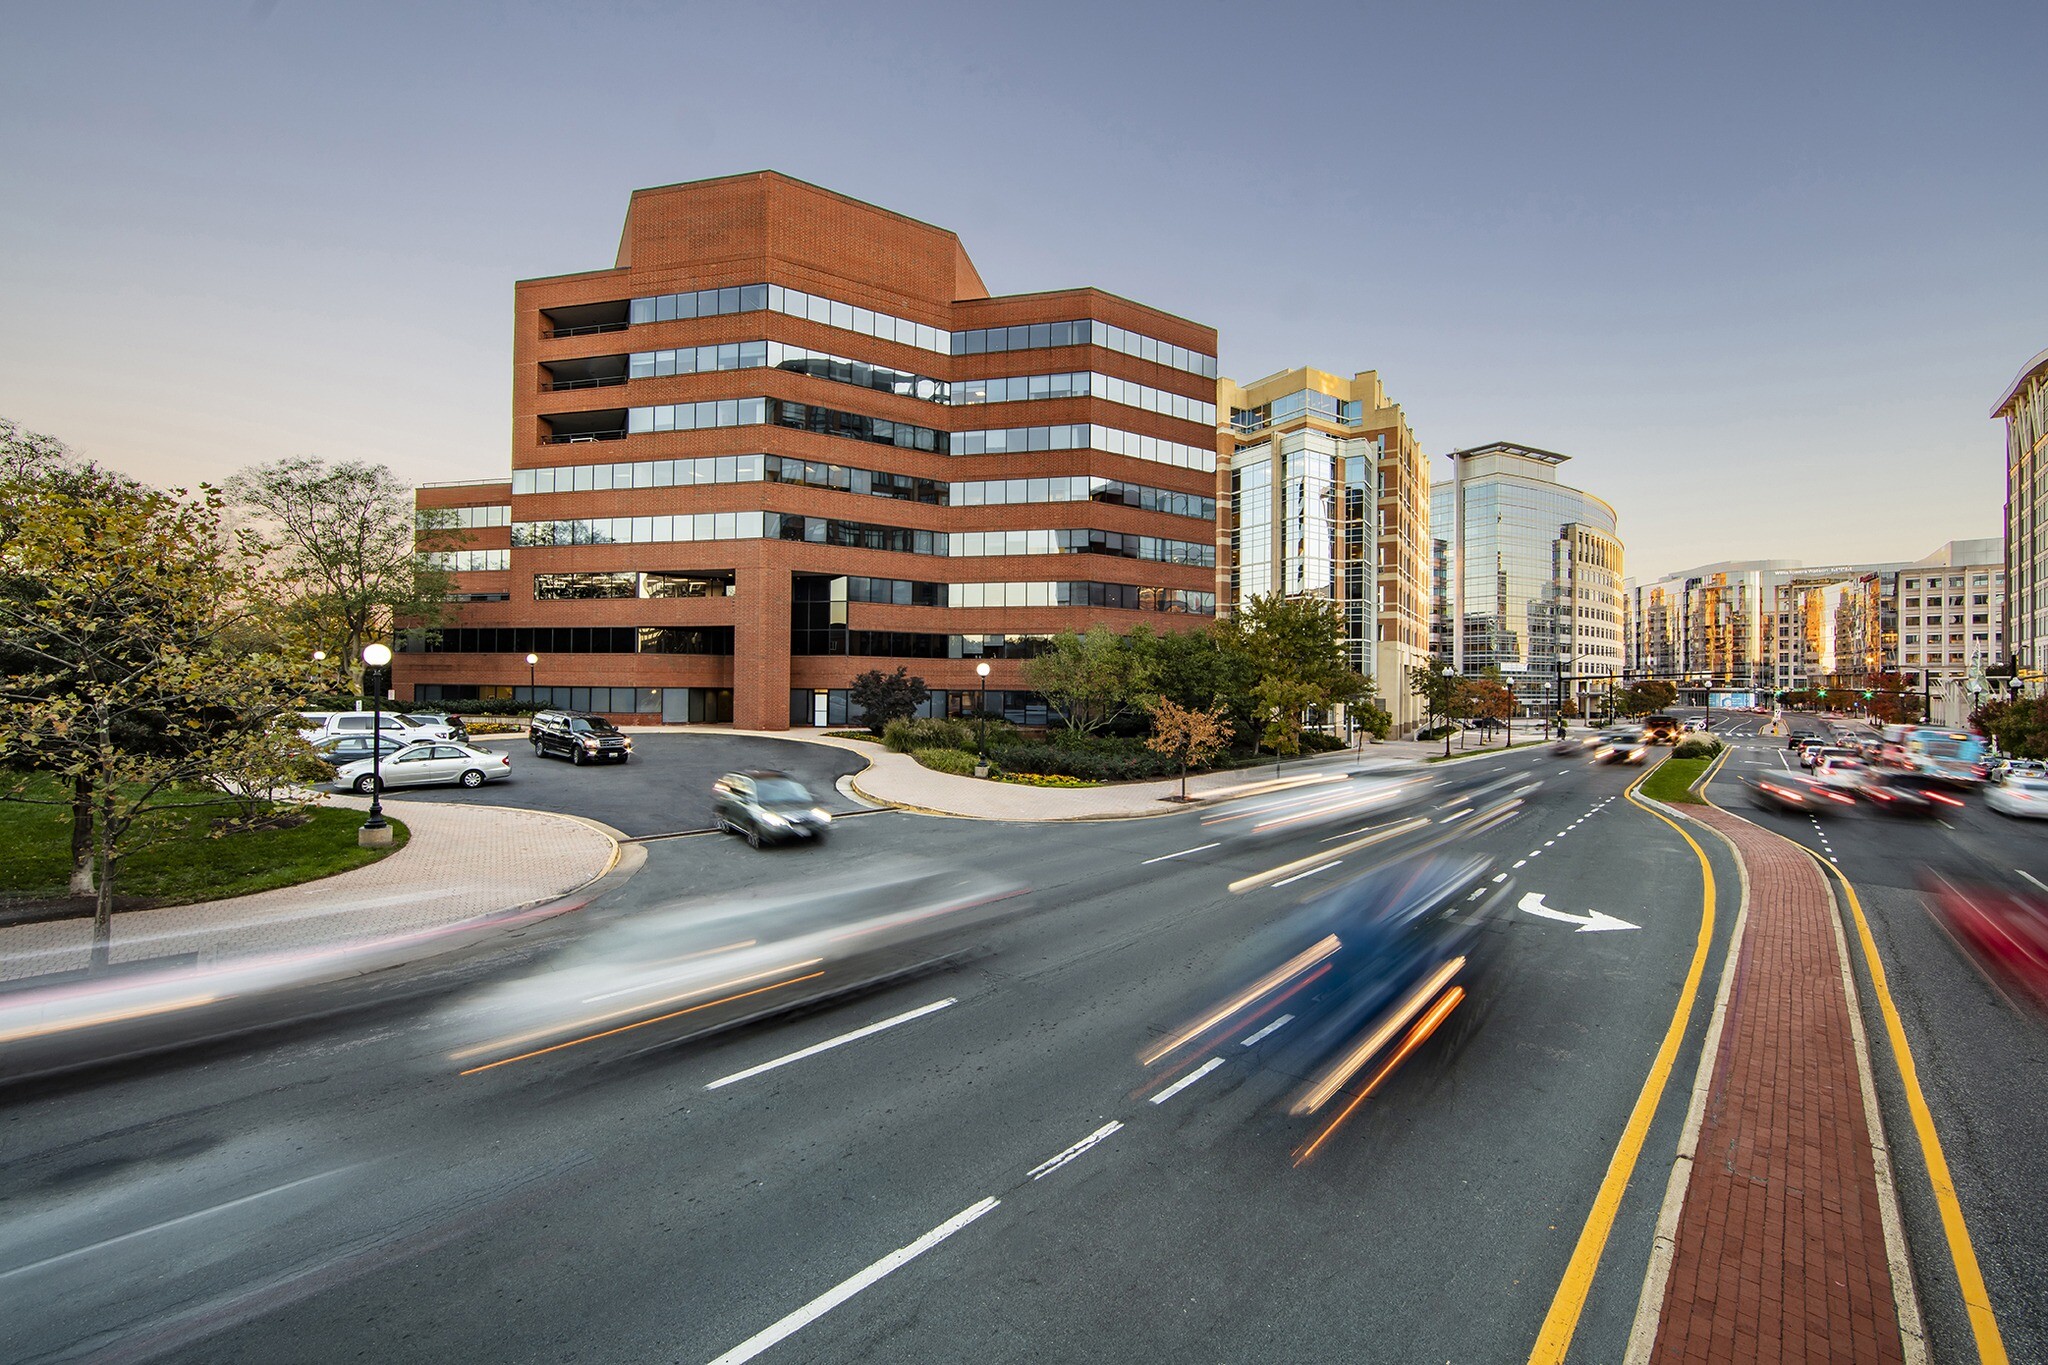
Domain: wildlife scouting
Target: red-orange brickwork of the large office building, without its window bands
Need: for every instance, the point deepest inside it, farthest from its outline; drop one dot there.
(771, 230)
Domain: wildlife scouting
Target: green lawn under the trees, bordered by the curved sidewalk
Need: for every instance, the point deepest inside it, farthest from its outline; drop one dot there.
(189, 865)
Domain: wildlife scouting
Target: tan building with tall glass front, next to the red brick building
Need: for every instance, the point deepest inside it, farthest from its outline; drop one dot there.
(1324, 492)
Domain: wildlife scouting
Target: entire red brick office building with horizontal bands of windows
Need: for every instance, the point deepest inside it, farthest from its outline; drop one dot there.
(790, 439)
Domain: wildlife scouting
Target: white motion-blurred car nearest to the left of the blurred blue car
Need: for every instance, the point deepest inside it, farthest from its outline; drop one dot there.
(708, 965)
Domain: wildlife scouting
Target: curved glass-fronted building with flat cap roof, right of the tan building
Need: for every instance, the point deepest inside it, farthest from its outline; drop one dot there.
(1527, 576)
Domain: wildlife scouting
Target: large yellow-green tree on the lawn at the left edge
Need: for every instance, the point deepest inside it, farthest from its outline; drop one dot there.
(128, 670)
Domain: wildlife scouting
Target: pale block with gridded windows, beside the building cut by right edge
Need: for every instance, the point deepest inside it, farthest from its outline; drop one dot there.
(1951, 625)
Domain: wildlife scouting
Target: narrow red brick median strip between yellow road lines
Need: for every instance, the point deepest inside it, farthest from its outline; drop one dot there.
(1781, 1243)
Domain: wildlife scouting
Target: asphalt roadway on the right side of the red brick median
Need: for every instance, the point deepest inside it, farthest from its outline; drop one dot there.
(1981, 1059)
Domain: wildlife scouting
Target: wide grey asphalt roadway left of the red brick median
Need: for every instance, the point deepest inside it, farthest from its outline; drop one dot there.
(341, 1194)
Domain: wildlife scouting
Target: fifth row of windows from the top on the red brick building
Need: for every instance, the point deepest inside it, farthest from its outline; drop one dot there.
(853, 535)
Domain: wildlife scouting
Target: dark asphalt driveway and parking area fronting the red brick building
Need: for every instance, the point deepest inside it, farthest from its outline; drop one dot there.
(667, 789)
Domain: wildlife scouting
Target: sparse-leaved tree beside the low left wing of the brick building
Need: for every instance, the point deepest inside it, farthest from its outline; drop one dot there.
(345, 554)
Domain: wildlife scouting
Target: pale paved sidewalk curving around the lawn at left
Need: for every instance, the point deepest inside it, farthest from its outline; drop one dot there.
(462, 863)
